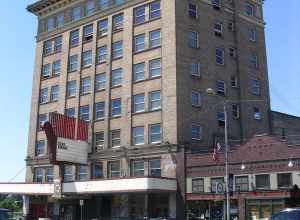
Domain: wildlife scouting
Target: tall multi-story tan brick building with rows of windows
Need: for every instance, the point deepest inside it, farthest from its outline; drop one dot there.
(138, 71)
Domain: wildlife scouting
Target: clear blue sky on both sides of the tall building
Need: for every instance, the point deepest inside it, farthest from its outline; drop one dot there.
(17, 46)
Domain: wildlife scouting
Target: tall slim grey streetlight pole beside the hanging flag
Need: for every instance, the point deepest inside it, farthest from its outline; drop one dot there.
(226, 164)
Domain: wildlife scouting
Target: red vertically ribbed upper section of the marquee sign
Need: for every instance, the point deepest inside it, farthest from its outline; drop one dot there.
(65, 127)
